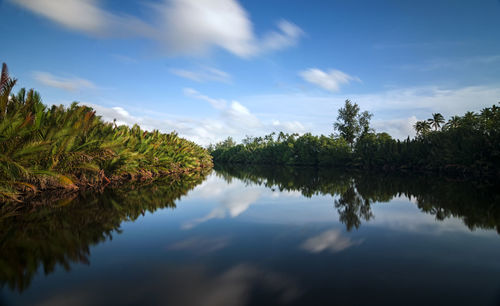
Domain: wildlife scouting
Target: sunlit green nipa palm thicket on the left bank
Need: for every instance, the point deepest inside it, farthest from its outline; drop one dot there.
(68, 148)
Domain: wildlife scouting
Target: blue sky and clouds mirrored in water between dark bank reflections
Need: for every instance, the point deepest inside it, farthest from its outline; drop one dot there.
(224, 241)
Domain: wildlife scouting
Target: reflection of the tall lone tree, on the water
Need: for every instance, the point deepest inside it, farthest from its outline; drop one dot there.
(353, 208)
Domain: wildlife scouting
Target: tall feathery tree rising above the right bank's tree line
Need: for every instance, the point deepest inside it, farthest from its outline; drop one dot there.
(350, 123)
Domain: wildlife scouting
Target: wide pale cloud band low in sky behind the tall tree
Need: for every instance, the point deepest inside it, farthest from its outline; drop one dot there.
(395, 110)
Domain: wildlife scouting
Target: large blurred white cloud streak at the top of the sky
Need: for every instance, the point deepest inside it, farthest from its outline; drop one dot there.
(182, 27)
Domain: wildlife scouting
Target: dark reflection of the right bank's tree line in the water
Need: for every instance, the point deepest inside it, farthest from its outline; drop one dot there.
(476, 203)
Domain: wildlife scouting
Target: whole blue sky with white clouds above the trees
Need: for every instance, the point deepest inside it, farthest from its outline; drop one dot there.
(210, 69)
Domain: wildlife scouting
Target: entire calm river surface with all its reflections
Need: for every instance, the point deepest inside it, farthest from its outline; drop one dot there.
(261, 236)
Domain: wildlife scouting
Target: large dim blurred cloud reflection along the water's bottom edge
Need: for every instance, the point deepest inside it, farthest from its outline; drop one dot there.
(186, 285)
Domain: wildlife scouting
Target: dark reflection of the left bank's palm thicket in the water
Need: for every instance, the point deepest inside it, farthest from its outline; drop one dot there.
(60, 233)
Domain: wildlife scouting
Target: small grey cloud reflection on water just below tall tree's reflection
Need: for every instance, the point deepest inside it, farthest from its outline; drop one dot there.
(331, 240)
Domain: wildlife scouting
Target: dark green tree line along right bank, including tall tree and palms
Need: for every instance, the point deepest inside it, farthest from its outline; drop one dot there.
(466, 145)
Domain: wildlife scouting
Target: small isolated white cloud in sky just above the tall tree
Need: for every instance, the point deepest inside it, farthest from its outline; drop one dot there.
(329, 80)
